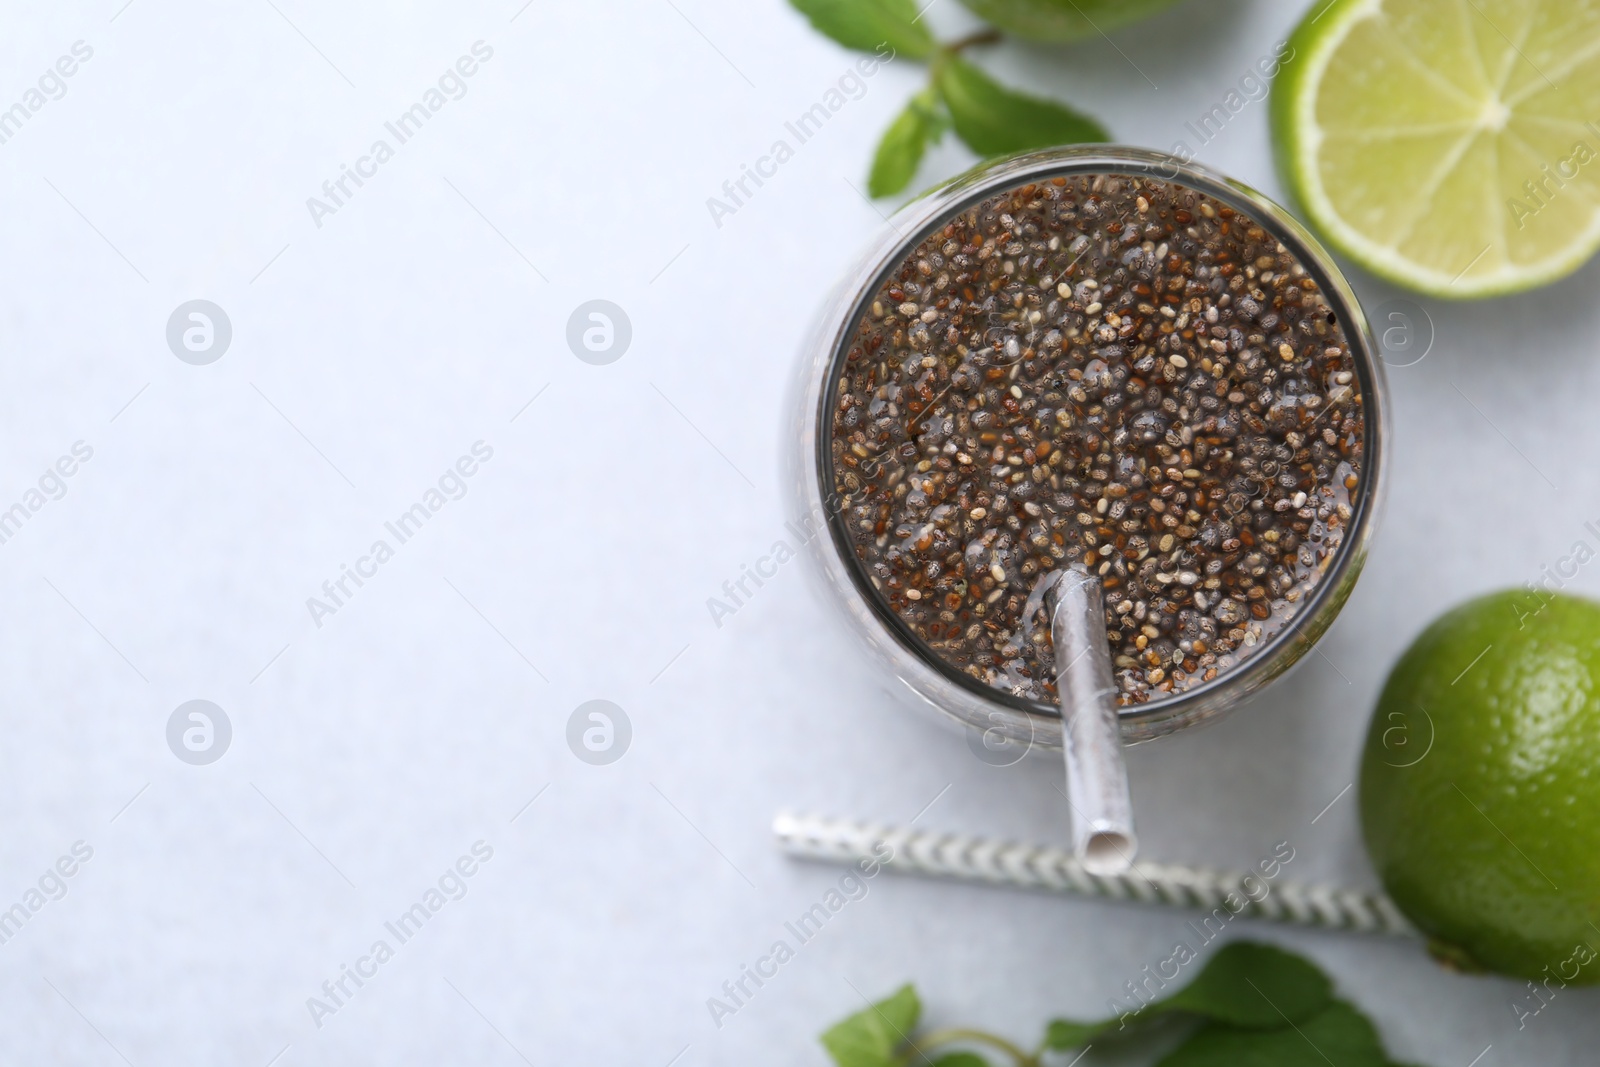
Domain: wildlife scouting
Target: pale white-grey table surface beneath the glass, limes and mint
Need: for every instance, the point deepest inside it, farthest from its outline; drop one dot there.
(433, 706)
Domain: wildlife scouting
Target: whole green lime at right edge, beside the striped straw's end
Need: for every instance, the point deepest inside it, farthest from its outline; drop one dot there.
(1481, 786)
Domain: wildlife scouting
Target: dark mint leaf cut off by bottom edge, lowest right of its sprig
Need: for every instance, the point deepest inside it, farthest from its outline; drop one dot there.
(1338, 1034)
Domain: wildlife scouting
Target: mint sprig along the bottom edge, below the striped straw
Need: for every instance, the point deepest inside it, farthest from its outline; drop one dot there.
(1257, 1007)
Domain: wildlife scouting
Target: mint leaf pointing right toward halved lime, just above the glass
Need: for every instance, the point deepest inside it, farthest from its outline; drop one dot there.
(994, 121)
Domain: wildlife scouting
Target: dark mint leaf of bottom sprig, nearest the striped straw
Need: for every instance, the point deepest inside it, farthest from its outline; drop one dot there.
(1246, 985)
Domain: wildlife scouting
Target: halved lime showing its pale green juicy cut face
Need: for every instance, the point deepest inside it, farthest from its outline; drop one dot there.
(1450, 146)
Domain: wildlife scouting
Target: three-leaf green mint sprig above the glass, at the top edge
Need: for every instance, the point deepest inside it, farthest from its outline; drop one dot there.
(986, 116)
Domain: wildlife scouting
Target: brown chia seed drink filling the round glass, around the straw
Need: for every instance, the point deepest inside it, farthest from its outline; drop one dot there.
(1105, 369)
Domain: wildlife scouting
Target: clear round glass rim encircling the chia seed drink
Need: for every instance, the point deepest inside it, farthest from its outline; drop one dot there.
(934, 210)
